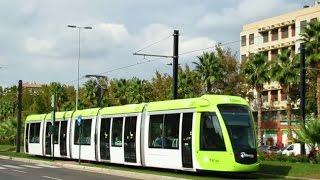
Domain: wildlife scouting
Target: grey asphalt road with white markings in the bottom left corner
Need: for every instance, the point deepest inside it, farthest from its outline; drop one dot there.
(16, 170)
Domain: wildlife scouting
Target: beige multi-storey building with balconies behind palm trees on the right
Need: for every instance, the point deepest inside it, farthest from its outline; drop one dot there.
(270, 36)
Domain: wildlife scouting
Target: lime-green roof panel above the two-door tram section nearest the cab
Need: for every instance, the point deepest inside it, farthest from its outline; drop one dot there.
(125, 109)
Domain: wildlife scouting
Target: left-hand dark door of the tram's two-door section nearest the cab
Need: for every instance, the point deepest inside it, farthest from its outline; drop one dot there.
(105, 138)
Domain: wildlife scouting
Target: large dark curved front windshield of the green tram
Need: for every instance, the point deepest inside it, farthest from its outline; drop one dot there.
(239, 123)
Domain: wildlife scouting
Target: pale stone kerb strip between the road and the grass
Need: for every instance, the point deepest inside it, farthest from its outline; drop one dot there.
(135, 175)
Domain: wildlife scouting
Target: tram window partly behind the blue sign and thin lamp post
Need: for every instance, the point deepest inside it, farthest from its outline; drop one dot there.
(85, 133)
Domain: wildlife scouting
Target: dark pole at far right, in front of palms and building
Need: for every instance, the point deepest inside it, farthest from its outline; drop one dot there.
(302, 91)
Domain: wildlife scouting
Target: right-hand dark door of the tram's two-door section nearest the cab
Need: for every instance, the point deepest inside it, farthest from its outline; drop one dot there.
(130, 139)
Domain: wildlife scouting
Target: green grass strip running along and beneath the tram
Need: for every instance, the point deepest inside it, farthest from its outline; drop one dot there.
(267, 168)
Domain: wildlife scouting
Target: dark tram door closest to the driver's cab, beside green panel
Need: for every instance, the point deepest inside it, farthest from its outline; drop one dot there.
(187, 140)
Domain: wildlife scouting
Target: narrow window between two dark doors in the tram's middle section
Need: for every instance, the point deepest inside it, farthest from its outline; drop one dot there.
(116, 140)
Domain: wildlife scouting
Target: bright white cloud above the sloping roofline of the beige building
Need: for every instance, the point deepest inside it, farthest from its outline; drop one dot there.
(229, 20)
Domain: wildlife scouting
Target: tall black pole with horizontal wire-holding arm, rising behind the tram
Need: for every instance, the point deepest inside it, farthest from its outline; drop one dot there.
(175, 58)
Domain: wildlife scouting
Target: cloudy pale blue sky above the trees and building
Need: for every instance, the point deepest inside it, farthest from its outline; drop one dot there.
(36, 44)
